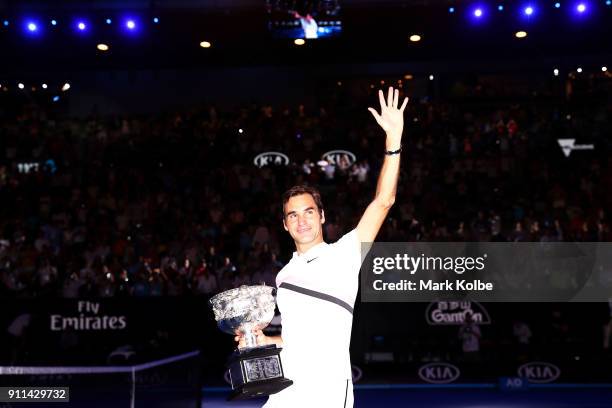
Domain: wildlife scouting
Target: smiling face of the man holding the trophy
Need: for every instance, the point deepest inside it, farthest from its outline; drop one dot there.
(303, 221)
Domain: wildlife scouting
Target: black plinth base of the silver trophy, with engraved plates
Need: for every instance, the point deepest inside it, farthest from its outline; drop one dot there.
(256, 372)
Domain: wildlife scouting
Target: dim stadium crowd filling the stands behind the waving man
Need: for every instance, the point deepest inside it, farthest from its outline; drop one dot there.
(172, 204)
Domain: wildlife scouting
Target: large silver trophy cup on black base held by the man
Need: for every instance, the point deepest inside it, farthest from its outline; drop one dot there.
(254, 370)
